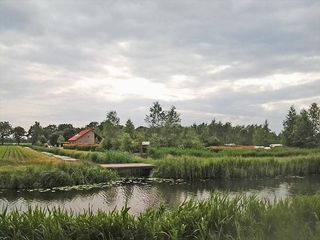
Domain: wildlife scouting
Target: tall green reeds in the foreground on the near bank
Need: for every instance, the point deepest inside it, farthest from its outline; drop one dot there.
(219, 217)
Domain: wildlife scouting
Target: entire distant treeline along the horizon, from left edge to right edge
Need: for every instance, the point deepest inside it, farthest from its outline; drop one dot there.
(164, 130)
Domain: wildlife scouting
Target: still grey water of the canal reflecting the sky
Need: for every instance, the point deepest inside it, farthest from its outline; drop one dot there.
(142, 194)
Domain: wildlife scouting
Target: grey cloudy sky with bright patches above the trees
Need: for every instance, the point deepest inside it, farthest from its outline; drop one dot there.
(241, 61)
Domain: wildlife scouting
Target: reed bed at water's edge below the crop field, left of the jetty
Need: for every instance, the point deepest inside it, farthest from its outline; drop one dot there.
(57, 175)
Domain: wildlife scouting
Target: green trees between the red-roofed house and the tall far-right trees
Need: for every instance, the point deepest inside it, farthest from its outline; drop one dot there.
(164, 130)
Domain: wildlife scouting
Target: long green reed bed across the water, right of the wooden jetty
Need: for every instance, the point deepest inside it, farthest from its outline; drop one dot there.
(191, 168)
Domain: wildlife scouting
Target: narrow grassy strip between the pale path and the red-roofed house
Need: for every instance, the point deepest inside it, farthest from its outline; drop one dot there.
(97, 157)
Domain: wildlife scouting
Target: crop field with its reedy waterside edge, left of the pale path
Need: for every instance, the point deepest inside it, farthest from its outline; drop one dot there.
(25, 168)
